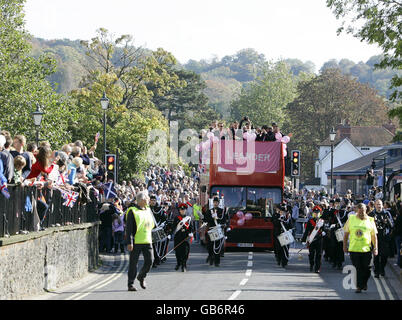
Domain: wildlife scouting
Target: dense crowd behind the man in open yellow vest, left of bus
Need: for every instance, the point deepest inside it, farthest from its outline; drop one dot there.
(170, 186)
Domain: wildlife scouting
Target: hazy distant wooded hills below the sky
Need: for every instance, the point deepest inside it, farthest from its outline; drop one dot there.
(224, 77)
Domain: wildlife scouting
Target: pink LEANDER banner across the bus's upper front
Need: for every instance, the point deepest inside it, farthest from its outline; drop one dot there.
(251, 156)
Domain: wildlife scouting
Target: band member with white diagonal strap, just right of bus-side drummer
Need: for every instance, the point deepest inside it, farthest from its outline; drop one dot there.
(315, 247)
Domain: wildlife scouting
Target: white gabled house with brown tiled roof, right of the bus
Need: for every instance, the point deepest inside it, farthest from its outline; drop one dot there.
(351, 143)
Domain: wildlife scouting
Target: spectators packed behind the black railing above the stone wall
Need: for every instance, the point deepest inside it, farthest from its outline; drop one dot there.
(71, 168)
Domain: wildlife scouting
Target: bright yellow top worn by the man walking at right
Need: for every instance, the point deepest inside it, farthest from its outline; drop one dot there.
(360, 233)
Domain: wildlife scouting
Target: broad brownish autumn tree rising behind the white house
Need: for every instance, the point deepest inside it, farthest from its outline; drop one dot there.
(325, 101)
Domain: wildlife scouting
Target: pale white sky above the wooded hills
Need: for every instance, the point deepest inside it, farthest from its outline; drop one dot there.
(195, 29)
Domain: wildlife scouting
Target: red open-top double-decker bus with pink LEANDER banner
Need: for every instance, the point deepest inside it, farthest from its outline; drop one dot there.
(255, 191)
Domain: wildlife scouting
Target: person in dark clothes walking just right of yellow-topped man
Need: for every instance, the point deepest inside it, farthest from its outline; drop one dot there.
(384, 224)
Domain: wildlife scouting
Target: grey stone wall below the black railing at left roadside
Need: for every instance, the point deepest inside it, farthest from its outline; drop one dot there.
(47, 260)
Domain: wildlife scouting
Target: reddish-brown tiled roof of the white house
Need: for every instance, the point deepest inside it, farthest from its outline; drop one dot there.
(364, 137)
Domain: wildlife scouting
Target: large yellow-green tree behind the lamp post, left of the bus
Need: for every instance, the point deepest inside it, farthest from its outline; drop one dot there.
(134, 81)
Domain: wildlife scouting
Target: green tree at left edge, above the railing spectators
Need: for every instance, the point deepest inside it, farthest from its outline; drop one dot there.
(23, 83)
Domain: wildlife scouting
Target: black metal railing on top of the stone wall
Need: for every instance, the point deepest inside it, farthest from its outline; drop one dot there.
(23, 212)
